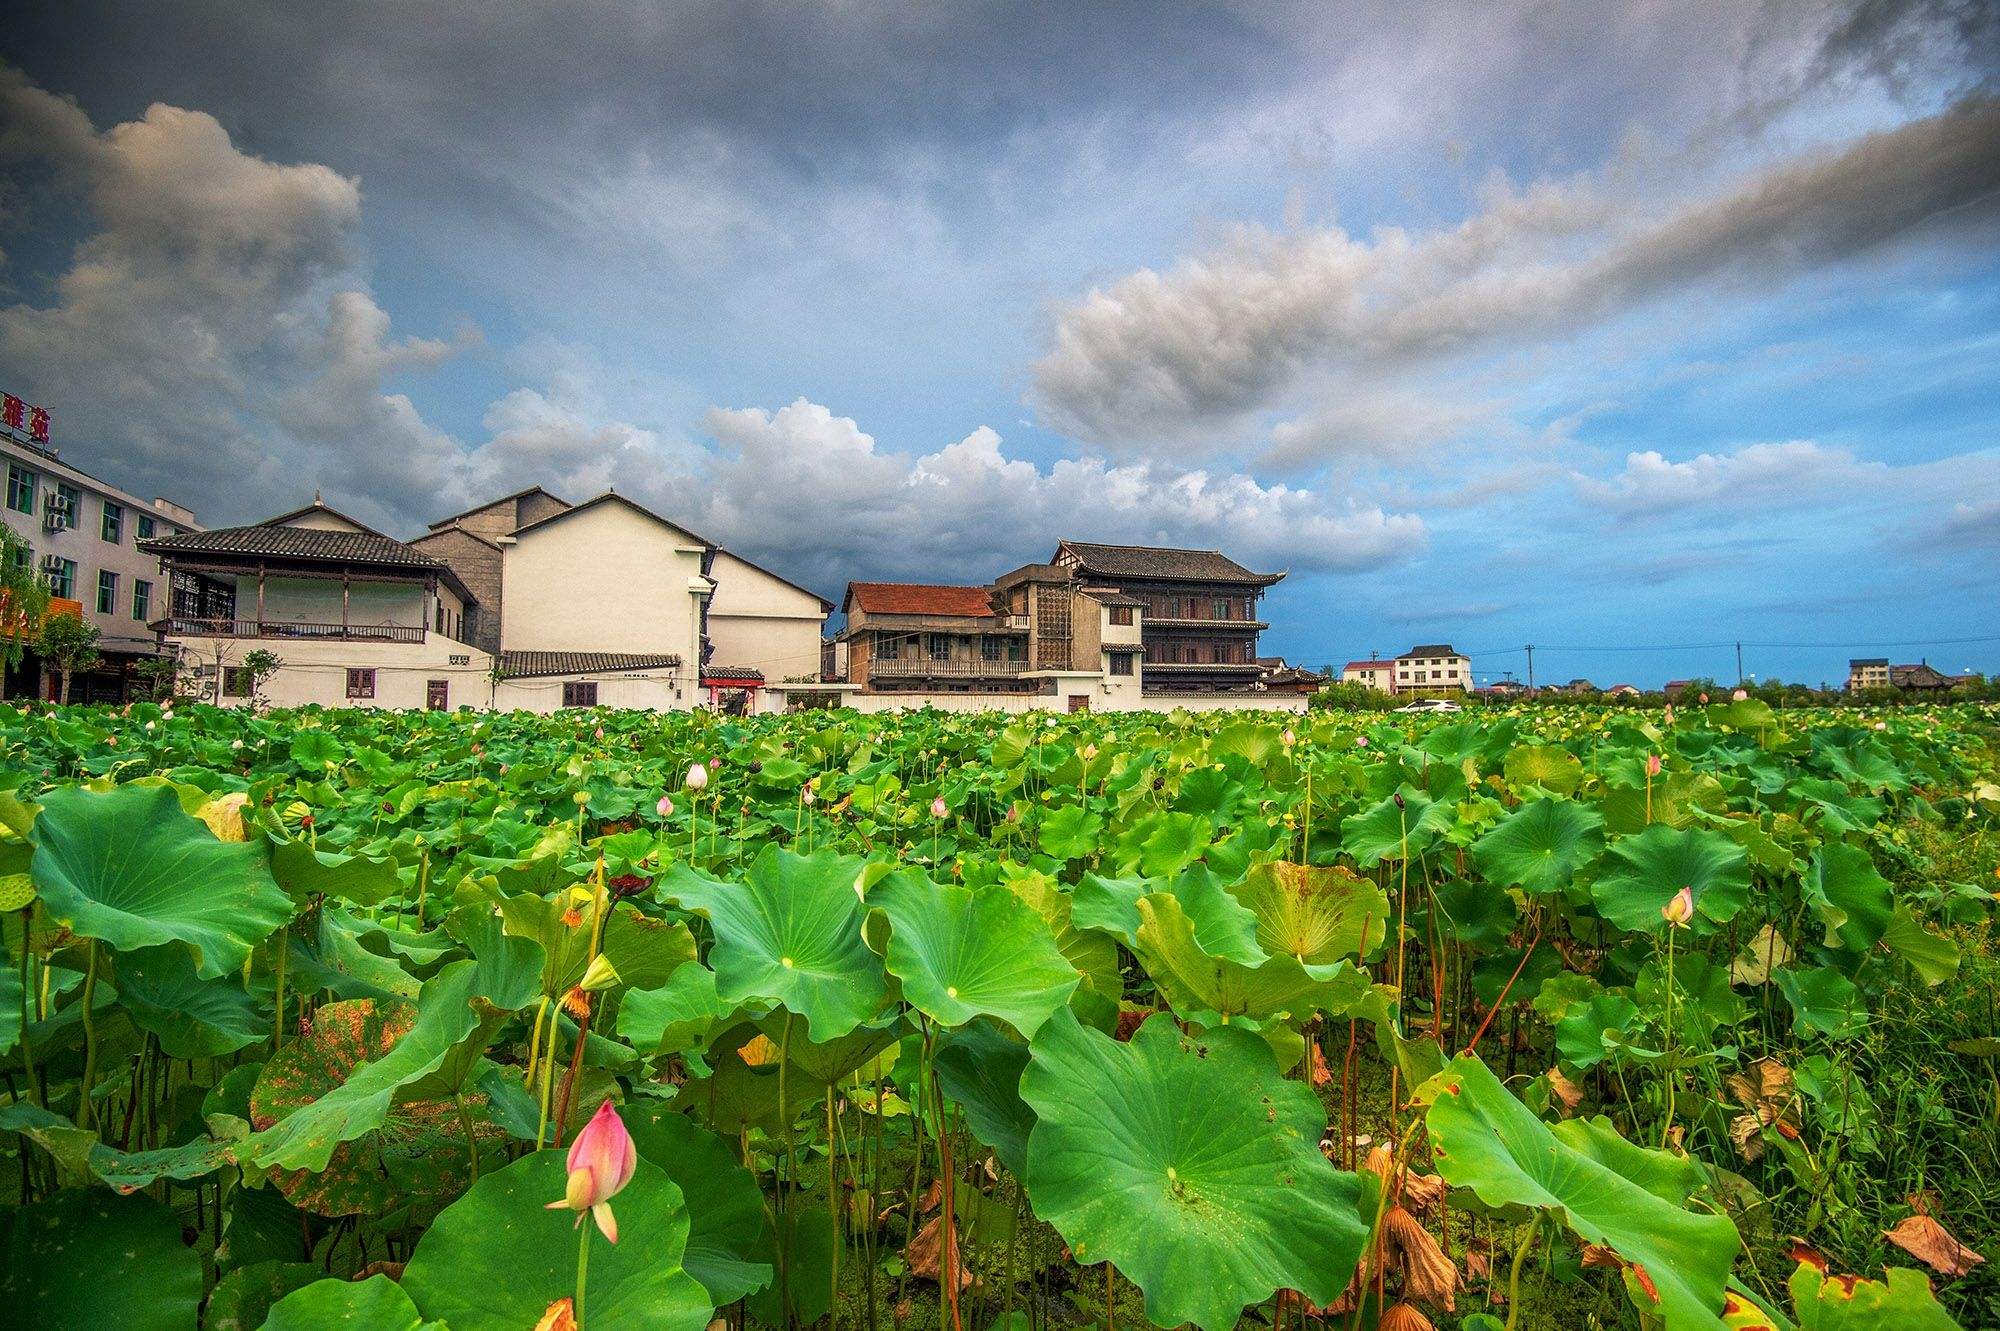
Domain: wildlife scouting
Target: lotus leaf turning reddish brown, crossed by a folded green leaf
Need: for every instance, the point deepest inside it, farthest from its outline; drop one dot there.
(417, 1150)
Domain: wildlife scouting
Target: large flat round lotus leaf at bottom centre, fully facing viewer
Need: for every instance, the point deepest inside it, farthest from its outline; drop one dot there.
(1191, 1166)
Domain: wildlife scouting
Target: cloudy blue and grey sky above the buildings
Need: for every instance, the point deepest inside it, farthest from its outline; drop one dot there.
(1627, 331)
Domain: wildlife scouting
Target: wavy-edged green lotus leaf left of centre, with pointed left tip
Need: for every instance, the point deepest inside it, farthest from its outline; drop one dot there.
(791, 934)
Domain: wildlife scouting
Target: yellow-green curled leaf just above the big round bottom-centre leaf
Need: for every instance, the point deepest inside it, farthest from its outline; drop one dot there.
(1213, 990)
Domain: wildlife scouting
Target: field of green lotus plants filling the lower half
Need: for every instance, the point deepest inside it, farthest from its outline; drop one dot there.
(1539, 1018)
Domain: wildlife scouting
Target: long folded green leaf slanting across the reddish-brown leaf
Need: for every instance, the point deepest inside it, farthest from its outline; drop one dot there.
(453, 1008)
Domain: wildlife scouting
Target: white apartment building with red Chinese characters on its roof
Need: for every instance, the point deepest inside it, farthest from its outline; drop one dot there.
(83, 537)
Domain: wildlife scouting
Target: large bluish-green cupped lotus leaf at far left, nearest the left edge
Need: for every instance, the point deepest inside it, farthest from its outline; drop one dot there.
(131, 868)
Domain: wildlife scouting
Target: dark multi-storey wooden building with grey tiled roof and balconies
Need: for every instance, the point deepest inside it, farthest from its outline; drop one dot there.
(1201, 611)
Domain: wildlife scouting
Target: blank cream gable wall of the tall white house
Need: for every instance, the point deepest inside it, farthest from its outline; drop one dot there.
(605, 579)
